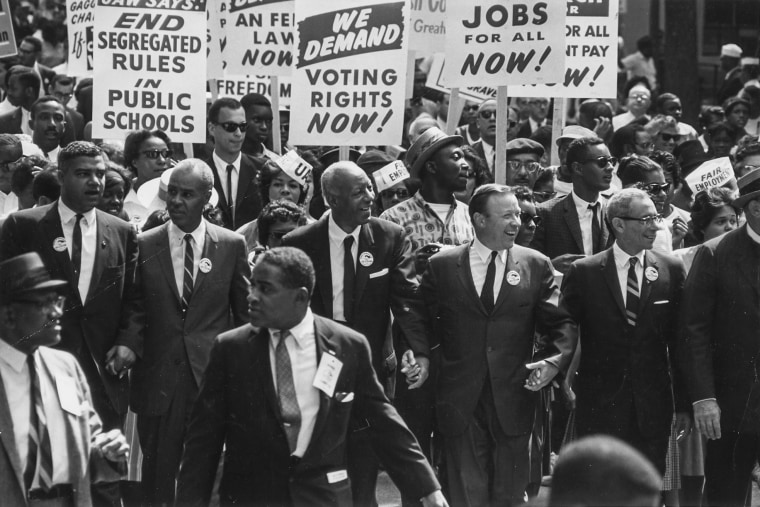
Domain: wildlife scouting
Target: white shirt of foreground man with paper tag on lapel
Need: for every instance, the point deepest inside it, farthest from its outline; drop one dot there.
(302, 349)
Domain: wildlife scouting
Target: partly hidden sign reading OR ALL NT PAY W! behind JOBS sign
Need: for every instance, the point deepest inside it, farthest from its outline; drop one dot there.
(591, 54)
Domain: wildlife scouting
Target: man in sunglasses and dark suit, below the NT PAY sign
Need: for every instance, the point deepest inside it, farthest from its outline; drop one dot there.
(573, 226)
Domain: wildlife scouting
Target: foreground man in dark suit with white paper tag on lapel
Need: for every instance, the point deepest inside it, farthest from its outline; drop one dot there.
(279, 395)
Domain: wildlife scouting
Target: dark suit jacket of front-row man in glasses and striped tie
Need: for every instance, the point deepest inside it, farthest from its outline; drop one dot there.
(625, 370)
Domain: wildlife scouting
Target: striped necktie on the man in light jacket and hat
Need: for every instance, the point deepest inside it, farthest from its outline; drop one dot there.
(40, 458)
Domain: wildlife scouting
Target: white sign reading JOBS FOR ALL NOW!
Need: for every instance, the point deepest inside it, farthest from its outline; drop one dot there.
(504, 42)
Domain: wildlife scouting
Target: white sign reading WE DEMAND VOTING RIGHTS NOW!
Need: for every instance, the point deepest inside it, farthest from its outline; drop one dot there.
(350, 72)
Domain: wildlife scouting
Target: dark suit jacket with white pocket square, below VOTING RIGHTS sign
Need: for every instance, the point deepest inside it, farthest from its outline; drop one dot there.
(388, 283)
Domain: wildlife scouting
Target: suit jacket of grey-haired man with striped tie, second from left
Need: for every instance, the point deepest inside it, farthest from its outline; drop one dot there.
(174, 341)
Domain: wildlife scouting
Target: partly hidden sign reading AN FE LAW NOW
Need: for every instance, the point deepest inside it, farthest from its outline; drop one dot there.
(262, 31)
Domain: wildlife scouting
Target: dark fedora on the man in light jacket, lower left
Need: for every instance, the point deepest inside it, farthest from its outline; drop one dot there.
(23, 275)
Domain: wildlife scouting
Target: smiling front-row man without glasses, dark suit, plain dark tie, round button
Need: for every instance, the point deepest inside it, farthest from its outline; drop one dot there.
(485, 301)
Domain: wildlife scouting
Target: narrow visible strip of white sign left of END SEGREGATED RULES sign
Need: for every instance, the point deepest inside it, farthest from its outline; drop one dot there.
(79, 20)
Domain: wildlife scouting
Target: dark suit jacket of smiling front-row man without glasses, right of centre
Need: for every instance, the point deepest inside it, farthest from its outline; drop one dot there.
(476, 344)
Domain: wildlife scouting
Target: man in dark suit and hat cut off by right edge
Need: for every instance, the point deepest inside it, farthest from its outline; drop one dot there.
(718, 349)
